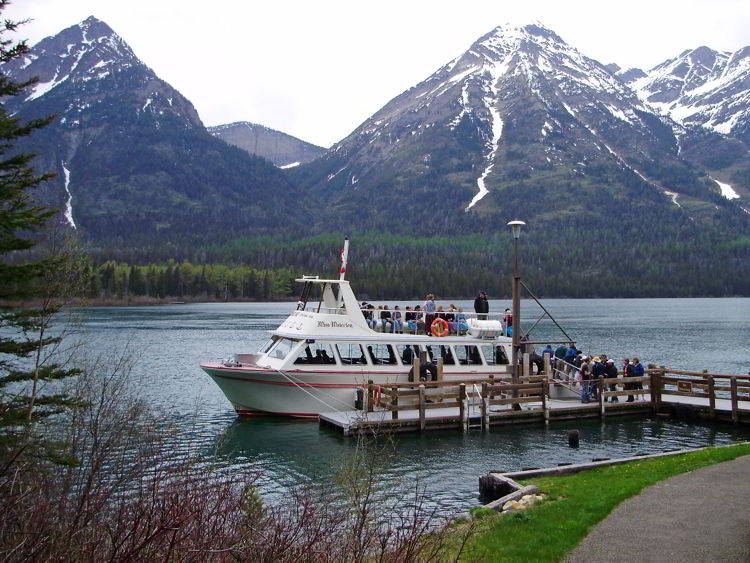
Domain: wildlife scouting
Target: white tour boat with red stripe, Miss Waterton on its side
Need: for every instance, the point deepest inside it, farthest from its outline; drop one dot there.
(325, 350)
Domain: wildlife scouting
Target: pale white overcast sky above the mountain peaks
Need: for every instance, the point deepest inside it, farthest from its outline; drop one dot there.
(316, 70)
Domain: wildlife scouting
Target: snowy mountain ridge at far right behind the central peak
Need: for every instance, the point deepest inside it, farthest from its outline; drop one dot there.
(702, 87)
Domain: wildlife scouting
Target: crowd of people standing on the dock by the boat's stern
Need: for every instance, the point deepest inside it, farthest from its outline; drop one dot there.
(573, 364)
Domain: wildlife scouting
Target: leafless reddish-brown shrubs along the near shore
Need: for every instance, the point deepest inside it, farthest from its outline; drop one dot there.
(128, 494)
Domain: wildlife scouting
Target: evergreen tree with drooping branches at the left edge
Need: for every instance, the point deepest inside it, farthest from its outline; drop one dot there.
(28, 352)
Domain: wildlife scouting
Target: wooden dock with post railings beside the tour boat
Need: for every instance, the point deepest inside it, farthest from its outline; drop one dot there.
(410, 407)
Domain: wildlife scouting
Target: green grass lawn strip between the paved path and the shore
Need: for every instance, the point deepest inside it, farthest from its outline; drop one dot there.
(575, 503)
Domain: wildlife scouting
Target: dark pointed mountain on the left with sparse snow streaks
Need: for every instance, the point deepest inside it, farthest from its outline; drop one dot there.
(133, 158)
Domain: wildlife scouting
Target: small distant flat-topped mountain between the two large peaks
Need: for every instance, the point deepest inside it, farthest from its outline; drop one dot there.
(283, 150)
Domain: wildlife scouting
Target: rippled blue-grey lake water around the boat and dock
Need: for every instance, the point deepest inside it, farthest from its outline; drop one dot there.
(169, 341)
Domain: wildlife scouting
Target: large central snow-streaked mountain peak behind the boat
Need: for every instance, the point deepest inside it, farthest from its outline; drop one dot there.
(520, 114)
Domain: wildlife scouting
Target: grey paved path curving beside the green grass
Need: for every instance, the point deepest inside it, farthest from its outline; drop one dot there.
(703, 515)
